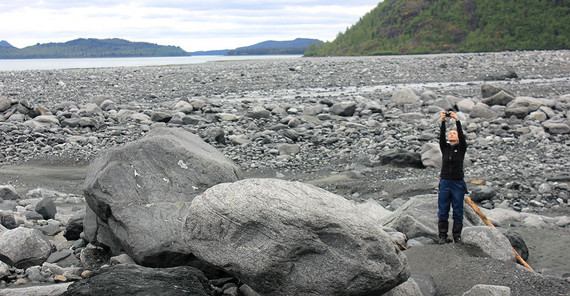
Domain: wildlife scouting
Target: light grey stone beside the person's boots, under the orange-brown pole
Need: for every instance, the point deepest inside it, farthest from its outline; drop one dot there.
(489, 240)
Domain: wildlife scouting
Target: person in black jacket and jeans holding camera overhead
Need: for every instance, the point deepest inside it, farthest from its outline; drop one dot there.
(452, 187)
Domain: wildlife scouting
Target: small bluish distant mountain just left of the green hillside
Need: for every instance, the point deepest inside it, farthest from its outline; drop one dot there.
(297, 46)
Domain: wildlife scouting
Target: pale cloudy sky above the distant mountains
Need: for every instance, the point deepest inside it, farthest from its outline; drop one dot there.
(192, 25)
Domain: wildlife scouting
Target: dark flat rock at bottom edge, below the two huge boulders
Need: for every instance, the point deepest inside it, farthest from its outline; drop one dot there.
(129, 279)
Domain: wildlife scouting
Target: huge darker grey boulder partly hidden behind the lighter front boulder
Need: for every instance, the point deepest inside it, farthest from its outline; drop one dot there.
(141, 192)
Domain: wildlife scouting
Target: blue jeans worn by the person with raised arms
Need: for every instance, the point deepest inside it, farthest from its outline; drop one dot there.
(451, 193)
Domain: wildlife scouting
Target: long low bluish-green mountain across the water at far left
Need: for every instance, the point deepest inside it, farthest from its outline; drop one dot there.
(92, 48)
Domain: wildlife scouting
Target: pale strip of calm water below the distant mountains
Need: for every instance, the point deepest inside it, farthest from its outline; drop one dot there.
(52, 64)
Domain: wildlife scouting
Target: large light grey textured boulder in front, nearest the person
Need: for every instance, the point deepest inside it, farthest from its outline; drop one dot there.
(291, 238)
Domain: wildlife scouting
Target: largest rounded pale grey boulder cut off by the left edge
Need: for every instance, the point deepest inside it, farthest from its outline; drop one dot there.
(24, 247)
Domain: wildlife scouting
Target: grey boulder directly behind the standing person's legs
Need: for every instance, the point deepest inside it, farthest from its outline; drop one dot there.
(418, 217)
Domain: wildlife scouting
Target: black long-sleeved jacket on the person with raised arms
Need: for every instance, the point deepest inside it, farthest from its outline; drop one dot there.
(452, 156)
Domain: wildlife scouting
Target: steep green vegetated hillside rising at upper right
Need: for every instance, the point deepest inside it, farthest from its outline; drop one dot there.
(437, 26)
